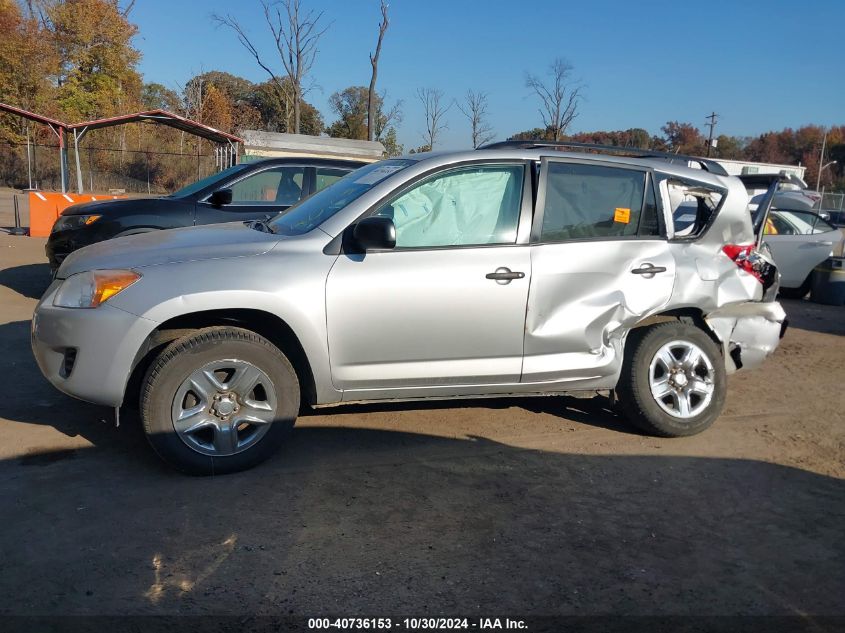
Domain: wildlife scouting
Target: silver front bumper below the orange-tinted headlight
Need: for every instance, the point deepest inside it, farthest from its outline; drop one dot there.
(87, 354)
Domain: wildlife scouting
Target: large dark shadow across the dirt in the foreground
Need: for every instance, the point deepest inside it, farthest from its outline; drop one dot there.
(354, 521)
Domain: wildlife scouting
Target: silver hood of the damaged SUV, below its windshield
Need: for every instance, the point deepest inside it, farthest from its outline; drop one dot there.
(212, 241)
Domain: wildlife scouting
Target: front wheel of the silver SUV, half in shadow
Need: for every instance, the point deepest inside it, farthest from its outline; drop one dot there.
(217, 401)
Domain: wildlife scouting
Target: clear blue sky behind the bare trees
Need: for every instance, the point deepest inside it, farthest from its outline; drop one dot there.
(762, 65)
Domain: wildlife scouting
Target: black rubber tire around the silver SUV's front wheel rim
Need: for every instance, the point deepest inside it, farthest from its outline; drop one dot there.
(179, 360)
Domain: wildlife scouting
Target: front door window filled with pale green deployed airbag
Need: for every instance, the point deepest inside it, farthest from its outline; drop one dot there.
(463, 207)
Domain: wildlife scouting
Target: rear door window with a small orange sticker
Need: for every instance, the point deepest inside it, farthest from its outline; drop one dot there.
(594, 201)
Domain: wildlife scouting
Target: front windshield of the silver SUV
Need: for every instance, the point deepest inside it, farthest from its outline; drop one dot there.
(313, 211)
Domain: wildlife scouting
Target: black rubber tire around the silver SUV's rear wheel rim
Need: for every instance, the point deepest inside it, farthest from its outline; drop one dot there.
(634, 394)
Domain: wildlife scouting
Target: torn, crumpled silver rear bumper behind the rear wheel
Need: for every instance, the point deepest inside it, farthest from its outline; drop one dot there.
(749, 332)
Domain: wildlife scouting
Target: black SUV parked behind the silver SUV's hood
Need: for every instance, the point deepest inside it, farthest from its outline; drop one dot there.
(248, 191)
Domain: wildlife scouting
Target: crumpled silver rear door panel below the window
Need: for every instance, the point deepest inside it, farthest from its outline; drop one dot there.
(582, 301)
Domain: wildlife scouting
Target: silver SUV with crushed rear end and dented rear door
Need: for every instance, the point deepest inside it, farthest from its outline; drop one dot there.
(514, 270)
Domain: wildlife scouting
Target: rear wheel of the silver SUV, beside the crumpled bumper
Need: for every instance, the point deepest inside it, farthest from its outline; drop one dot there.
(673, 380)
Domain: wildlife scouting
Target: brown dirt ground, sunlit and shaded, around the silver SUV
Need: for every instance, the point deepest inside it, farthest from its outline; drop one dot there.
(531, 506)
